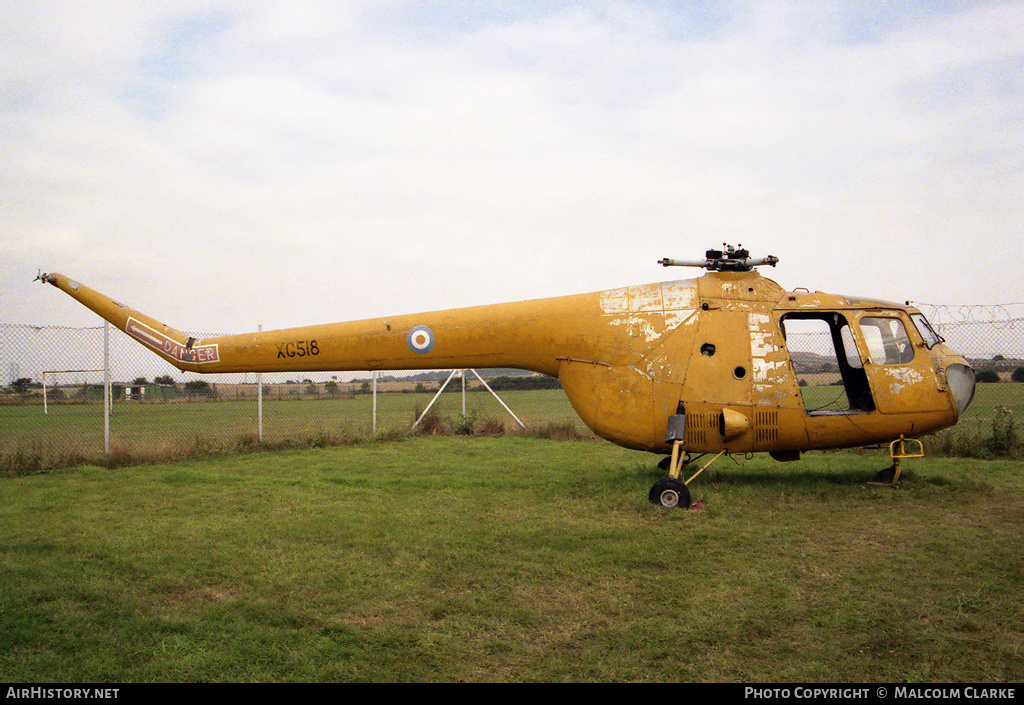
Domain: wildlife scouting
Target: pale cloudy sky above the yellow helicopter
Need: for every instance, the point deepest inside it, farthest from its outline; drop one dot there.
(224, 167)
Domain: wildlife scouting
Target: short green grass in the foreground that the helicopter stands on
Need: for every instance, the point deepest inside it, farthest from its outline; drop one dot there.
(513, 559)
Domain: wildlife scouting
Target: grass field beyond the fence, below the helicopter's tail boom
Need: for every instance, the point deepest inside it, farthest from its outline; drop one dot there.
(70, 434)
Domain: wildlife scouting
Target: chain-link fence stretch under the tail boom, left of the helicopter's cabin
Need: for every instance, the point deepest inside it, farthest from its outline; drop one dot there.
(53, 403)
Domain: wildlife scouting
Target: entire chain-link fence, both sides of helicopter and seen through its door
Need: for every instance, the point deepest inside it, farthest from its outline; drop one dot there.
(53, 403)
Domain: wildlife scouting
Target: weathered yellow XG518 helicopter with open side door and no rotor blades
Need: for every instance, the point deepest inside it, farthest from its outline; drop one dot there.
(687, 368)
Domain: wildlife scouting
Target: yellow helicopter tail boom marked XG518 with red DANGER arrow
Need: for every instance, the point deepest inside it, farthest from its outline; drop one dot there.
(499, 336)
